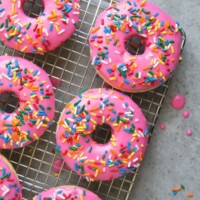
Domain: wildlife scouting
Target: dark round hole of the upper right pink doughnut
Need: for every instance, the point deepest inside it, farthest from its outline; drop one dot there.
(135, 45)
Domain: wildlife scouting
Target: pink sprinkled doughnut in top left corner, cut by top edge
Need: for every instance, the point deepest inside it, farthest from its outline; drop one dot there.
(37, 35)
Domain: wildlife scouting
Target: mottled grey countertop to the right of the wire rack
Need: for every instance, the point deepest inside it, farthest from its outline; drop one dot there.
(173, 157)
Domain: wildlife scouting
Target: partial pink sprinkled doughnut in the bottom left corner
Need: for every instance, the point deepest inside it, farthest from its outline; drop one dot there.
(10, 188)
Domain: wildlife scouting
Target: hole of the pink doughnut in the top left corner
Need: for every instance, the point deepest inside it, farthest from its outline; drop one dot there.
(33, 8)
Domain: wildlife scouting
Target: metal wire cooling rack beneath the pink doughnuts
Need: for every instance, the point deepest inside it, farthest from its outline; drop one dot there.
(70, 64)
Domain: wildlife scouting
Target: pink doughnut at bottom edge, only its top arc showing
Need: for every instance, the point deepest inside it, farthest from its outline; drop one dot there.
(69, 192)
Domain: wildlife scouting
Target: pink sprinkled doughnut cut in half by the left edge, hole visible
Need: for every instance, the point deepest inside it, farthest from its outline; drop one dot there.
(36, 108)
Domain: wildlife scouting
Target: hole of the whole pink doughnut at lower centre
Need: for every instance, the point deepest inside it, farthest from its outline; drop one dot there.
(102, 134)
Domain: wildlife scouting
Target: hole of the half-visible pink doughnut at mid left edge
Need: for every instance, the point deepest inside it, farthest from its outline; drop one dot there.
(9, 102)
